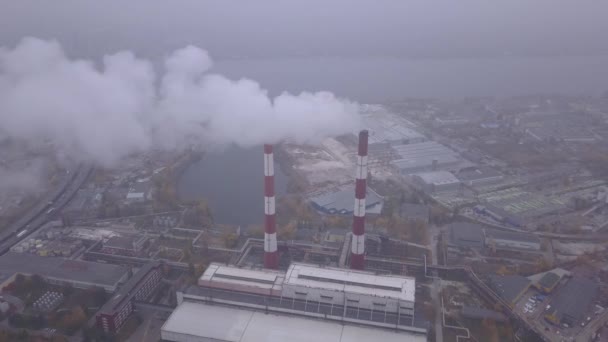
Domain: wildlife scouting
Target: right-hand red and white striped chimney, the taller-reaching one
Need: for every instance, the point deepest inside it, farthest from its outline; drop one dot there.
(357, 255)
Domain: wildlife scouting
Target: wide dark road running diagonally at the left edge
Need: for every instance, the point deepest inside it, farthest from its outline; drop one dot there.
(37, 216)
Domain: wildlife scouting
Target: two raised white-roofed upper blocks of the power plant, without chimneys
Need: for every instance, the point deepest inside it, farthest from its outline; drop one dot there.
(336, 286)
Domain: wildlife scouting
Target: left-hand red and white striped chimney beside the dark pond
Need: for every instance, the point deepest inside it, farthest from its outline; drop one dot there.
(271, 257)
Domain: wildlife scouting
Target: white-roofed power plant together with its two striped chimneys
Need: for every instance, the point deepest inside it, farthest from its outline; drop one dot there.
(305, 302)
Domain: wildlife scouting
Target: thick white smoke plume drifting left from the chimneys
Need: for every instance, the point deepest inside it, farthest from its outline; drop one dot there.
(104, 113)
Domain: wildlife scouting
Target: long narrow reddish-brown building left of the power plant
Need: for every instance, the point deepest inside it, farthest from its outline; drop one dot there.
(116, 311)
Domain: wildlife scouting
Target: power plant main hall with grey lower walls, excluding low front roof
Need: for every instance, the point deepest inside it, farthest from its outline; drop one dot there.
(311, 292)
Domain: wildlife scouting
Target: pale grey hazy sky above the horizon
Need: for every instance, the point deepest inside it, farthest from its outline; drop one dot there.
(279, 28)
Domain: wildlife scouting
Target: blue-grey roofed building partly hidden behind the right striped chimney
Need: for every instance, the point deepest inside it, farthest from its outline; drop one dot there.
(341, 200)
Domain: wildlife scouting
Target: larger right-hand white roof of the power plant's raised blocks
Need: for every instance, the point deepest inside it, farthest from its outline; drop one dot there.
(349, 281)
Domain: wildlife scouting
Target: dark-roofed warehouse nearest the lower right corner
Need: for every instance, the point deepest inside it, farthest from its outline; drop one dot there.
(572, 302)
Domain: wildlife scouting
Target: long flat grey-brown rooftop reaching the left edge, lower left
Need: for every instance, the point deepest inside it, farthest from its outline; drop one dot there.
(106, 275)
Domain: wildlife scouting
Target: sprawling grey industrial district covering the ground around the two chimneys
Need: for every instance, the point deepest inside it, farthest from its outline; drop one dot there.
(417, 228)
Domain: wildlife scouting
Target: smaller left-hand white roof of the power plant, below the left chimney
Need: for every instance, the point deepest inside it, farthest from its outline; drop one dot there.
(261, 278)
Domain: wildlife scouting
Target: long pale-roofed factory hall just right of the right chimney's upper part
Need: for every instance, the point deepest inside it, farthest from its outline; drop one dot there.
(425, 156)
